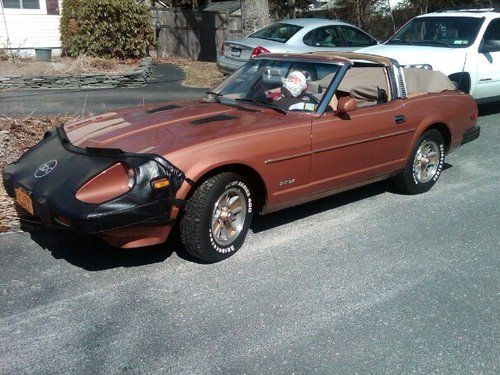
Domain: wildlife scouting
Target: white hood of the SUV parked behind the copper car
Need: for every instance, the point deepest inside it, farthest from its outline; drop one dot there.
(447, 60)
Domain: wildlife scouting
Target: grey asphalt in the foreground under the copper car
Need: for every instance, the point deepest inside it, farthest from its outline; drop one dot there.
(368, 282)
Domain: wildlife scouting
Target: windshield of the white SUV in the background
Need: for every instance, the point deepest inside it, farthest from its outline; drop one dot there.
(451, 32)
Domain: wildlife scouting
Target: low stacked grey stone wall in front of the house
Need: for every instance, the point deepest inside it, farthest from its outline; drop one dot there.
(134, 78)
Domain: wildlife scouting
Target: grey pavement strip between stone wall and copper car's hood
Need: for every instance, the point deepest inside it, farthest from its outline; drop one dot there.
(165, 85)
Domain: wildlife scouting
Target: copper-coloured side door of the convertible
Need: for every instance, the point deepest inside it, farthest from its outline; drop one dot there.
(358, 146)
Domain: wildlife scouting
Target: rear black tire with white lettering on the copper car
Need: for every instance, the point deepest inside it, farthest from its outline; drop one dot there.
(408, 181)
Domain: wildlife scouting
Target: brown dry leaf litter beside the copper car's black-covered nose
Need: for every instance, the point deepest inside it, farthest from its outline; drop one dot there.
(16, 136)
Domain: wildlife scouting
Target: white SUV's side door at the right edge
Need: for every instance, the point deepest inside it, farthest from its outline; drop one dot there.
(488, 65)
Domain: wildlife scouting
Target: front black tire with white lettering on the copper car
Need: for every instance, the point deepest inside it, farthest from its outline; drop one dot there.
(196, 224)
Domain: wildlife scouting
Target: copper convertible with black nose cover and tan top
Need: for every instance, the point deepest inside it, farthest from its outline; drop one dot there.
(281, 131)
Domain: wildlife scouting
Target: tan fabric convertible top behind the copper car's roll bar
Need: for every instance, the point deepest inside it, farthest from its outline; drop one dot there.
(419, 81)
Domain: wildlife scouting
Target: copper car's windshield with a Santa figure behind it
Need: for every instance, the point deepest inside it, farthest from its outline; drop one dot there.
(285, 85)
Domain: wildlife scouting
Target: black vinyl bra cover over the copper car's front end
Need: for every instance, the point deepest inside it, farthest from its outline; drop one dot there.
(53, 195)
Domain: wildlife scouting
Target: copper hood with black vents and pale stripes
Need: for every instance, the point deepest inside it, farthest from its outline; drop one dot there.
(166, 128)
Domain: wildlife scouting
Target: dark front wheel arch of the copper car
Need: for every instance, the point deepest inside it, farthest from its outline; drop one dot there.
(257, 184)
